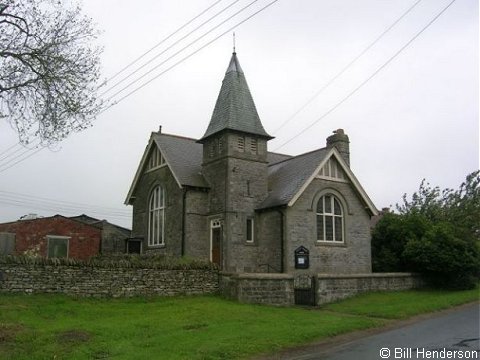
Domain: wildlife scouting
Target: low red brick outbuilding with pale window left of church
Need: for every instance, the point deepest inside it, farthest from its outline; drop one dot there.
(55, 236)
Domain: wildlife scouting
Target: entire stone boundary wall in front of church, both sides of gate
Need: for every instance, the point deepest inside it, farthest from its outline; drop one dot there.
(271, 289)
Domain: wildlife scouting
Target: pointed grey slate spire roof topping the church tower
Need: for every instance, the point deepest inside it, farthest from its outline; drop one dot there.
(235, 109)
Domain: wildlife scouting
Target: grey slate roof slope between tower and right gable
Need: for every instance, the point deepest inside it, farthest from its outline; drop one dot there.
(285, 178)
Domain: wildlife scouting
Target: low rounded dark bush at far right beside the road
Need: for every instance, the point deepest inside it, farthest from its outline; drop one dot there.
(444, 259)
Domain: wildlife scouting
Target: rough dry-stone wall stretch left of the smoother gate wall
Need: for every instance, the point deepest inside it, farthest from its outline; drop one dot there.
(105, 282)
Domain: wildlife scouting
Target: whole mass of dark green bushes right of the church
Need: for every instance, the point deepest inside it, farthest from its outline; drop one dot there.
(435, 233)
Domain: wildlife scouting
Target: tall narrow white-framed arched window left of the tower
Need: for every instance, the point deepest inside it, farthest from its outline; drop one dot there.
(156, 217)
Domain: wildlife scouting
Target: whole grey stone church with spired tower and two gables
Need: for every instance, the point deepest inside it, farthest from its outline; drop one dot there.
(226, 198)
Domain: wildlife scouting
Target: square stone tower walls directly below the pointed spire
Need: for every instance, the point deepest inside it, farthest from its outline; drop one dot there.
(238, 180)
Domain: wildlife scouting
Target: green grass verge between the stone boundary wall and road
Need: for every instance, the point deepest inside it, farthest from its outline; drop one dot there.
(57, 327)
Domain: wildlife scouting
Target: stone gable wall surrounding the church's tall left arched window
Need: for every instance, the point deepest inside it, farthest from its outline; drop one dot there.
(173, 211)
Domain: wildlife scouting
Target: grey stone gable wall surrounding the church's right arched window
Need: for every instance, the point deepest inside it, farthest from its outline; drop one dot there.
(352, 256)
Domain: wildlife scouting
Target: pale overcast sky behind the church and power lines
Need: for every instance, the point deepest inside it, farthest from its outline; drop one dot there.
(416, 118)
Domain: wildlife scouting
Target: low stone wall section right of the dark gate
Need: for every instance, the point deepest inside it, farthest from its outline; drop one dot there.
(331, 288)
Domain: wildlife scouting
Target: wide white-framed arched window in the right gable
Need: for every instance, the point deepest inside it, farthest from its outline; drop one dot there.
(330, 226)
